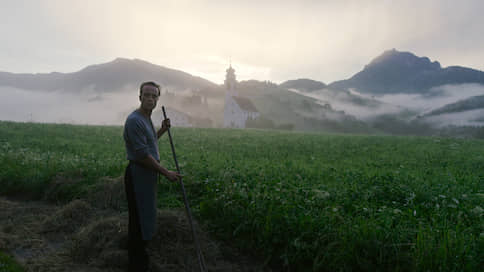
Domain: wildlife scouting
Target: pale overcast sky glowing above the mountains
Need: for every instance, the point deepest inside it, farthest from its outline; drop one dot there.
(265, 40)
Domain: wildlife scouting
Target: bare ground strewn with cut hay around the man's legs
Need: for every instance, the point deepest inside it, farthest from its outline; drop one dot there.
(91, 235)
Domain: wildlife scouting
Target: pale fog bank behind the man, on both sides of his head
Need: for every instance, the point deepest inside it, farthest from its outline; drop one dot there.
(94, 108)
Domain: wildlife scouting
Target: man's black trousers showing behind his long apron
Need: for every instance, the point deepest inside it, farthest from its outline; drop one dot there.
(138, 257)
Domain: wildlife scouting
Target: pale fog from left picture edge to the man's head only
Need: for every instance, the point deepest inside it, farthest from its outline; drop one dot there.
(64, 107)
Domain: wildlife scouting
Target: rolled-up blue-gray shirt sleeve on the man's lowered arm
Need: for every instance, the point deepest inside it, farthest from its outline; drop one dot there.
(136, 140)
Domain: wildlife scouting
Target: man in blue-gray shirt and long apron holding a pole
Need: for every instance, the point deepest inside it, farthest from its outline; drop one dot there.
(141, 175)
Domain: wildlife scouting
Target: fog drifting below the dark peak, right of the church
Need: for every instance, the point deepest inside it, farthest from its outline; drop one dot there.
(367, 107)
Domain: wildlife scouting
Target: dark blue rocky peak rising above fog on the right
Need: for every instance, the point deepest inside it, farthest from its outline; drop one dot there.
(403, 72)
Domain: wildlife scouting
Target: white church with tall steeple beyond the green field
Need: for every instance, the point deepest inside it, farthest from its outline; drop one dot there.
(237, 109)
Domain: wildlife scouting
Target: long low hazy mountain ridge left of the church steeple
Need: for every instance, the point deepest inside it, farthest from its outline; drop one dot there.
(107, 77)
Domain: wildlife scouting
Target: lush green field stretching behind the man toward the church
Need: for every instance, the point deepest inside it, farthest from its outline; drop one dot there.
(300, 201)
